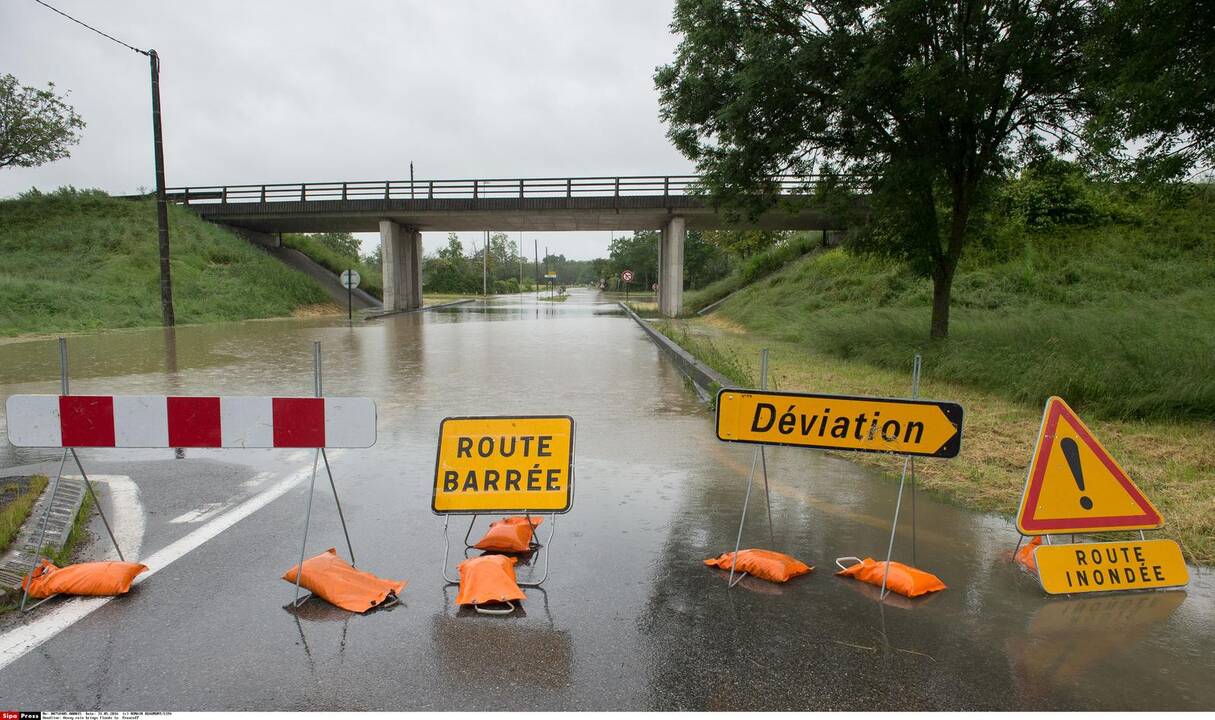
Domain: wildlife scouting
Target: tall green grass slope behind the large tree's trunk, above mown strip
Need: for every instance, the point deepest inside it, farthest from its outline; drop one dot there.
(1116, 316)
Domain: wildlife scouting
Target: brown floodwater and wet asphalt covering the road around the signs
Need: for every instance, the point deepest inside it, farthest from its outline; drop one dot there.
(629, 619)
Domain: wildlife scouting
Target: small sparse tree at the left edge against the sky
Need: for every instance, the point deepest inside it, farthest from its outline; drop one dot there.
(36, 126)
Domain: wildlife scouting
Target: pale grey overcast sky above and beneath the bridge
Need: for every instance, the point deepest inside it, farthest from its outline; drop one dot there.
(290, 92)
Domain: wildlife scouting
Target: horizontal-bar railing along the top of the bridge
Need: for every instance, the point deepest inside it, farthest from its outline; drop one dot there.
(433, 190)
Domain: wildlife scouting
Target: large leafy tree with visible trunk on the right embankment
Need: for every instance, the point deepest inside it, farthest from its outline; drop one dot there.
(929, 100)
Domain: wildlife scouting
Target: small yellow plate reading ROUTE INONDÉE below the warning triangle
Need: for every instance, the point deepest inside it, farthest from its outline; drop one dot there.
(1103, 568)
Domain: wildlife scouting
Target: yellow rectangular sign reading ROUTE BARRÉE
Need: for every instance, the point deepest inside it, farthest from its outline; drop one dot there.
(505, 466)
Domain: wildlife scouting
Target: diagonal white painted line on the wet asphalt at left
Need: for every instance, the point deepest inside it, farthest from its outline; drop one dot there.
(19, 642)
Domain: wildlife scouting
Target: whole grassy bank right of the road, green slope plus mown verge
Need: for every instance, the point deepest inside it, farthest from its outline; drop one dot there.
(1117, 319)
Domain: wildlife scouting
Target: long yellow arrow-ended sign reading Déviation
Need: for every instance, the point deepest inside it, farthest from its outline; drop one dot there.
(840, 423)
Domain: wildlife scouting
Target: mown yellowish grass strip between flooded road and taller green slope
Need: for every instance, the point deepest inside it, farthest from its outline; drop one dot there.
(1173, 462)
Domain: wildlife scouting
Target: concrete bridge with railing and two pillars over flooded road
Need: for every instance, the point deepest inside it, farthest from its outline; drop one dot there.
(400, 211)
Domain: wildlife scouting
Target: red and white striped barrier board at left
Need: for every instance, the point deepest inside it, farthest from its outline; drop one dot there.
(180, 422)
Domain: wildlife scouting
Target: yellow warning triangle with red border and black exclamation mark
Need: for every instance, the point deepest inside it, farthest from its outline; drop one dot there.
(1076, 486)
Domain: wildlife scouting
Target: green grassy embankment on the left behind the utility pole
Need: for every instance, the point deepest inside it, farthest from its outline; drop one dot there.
(82, 262)
